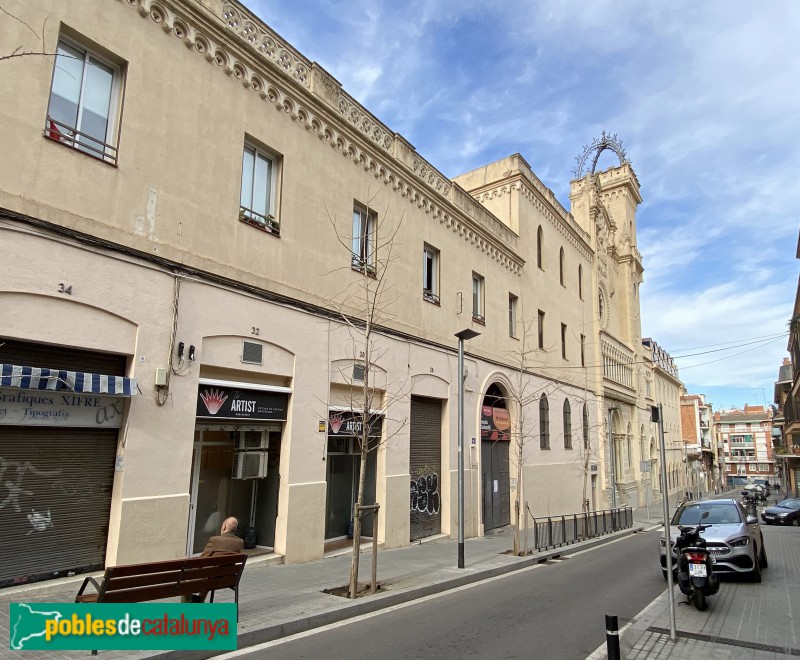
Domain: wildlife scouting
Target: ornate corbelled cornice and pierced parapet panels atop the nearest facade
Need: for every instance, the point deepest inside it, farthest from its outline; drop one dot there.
(166, 14)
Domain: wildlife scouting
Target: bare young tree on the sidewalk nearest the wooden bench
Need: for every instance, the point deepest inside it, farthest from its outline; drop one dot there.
(364, 306)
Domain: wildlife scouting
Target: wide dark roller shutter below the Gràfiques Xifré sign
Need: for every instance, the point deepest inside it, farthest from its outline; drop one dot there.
(55, 501)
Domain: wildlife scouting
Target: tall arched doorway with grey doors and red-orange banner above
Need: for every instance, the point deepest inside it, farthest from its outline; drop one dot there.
(495, 442)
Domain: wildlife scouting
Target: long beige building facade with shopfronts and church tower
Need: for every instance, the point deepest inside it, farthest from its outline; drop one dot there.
(199, 211)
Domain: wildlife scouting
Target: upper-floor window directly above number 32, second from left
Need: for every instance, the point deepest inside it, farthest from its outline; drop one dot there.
(257, 199)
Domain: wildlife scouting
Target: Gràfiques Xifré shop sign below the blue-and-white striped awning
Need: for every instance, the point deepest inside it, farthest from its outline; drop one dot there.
(34, 408)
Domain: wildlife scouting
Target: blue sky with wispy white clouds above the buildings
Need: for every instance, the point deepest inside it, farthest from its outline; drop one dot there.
(703, 95)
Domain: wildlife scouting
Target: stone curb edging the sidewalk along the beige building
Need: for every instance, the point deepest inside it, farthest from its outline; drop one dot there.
(350, 609)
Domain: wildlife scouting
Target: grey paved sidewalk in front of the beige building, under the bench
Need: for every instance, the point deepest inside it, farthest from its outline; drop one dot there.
(280, 600)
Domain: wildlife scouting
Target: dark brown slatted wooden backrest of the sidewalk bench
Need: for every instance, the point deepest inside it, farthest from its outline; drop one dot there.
(165, 579)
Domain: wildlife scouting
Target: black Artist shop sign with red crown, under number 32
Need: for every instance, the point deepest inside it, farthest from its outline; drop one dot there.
(234, 403)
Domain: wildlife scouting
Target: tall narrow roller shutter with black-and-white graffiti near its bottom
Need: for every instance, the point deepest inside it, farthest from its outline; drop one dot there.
(425, 462)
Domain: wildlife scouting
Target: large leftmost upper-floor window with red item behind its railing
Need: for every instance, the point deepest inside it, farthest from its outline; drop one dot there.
(85, 98)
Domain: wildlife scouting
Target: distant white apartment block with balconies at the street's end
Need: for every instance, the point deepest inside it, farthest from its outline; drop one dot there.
(746, 437)
